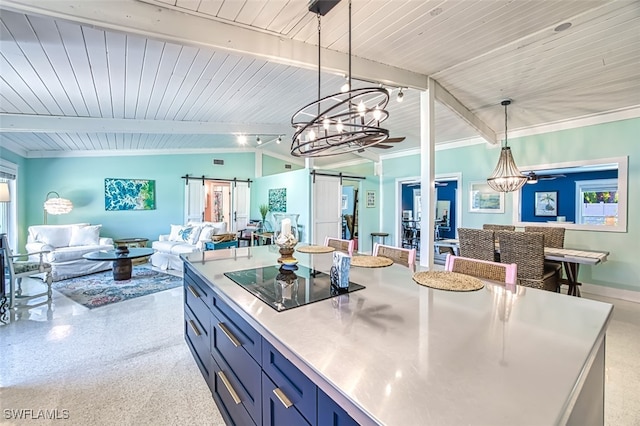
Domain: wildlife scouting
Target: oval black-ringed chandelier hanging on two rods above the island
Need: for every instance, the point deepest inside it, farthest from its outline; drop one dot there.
(342, 122)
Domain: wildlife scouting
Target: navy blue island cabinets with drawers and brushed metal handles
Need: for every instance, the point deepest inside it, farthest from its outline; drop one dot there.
(251, 382)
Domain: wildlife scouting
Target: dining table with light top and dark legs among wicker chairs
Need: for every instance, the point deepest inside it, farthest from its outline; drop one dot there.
(570, 258)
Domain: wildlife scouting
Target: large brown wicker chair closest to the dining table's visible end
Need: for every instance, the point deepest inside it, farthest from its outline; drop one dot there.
(526, 249)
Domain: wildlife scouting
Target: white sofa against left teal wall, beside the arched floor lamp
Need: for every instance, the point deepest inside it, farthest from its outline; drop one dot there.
(66, 245)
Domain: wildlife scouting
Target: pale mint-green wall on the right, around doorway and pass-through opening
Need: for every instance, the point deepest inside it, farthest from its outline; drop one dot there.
(476, 162)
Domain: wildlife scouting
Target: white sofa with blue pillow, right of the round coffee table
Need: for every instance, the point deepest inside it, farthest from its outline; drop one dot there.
(183, 239)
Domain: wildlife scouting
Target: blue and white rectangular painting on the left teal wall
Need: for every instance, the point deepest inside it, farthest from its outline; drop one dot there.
(129, 194)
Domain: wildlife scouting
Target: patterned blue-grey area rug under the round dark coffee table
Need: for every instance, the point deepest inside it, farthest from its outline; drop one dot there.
(100, 289)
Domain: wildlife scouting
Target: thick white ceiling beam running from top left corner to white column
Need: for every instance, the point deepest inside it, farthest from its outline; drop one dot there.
(147, 20)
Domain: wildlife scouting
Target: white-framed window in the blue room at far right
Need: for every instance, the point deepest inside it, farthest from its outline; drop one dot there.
(597, 202)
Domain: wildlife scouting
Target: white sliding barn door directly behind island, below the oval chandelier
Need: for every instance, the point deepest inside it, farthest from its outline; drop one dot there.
(327, 208)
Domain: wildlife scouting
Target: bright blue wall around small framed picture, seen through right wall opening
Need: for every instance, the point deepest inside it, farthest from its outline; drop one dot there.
(566, 188)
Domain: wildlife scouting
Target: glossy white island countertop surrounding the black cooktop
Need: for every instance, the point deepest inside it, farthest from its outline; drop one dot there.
(409, 355)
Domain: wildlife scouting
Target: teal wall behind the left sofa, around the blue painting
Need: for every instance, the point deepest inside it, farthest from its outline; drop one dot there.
(81, 179)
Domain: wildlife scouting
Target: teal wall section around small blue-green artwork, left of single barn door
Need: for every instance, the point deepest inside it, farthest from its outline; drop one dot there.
(298, 188)
